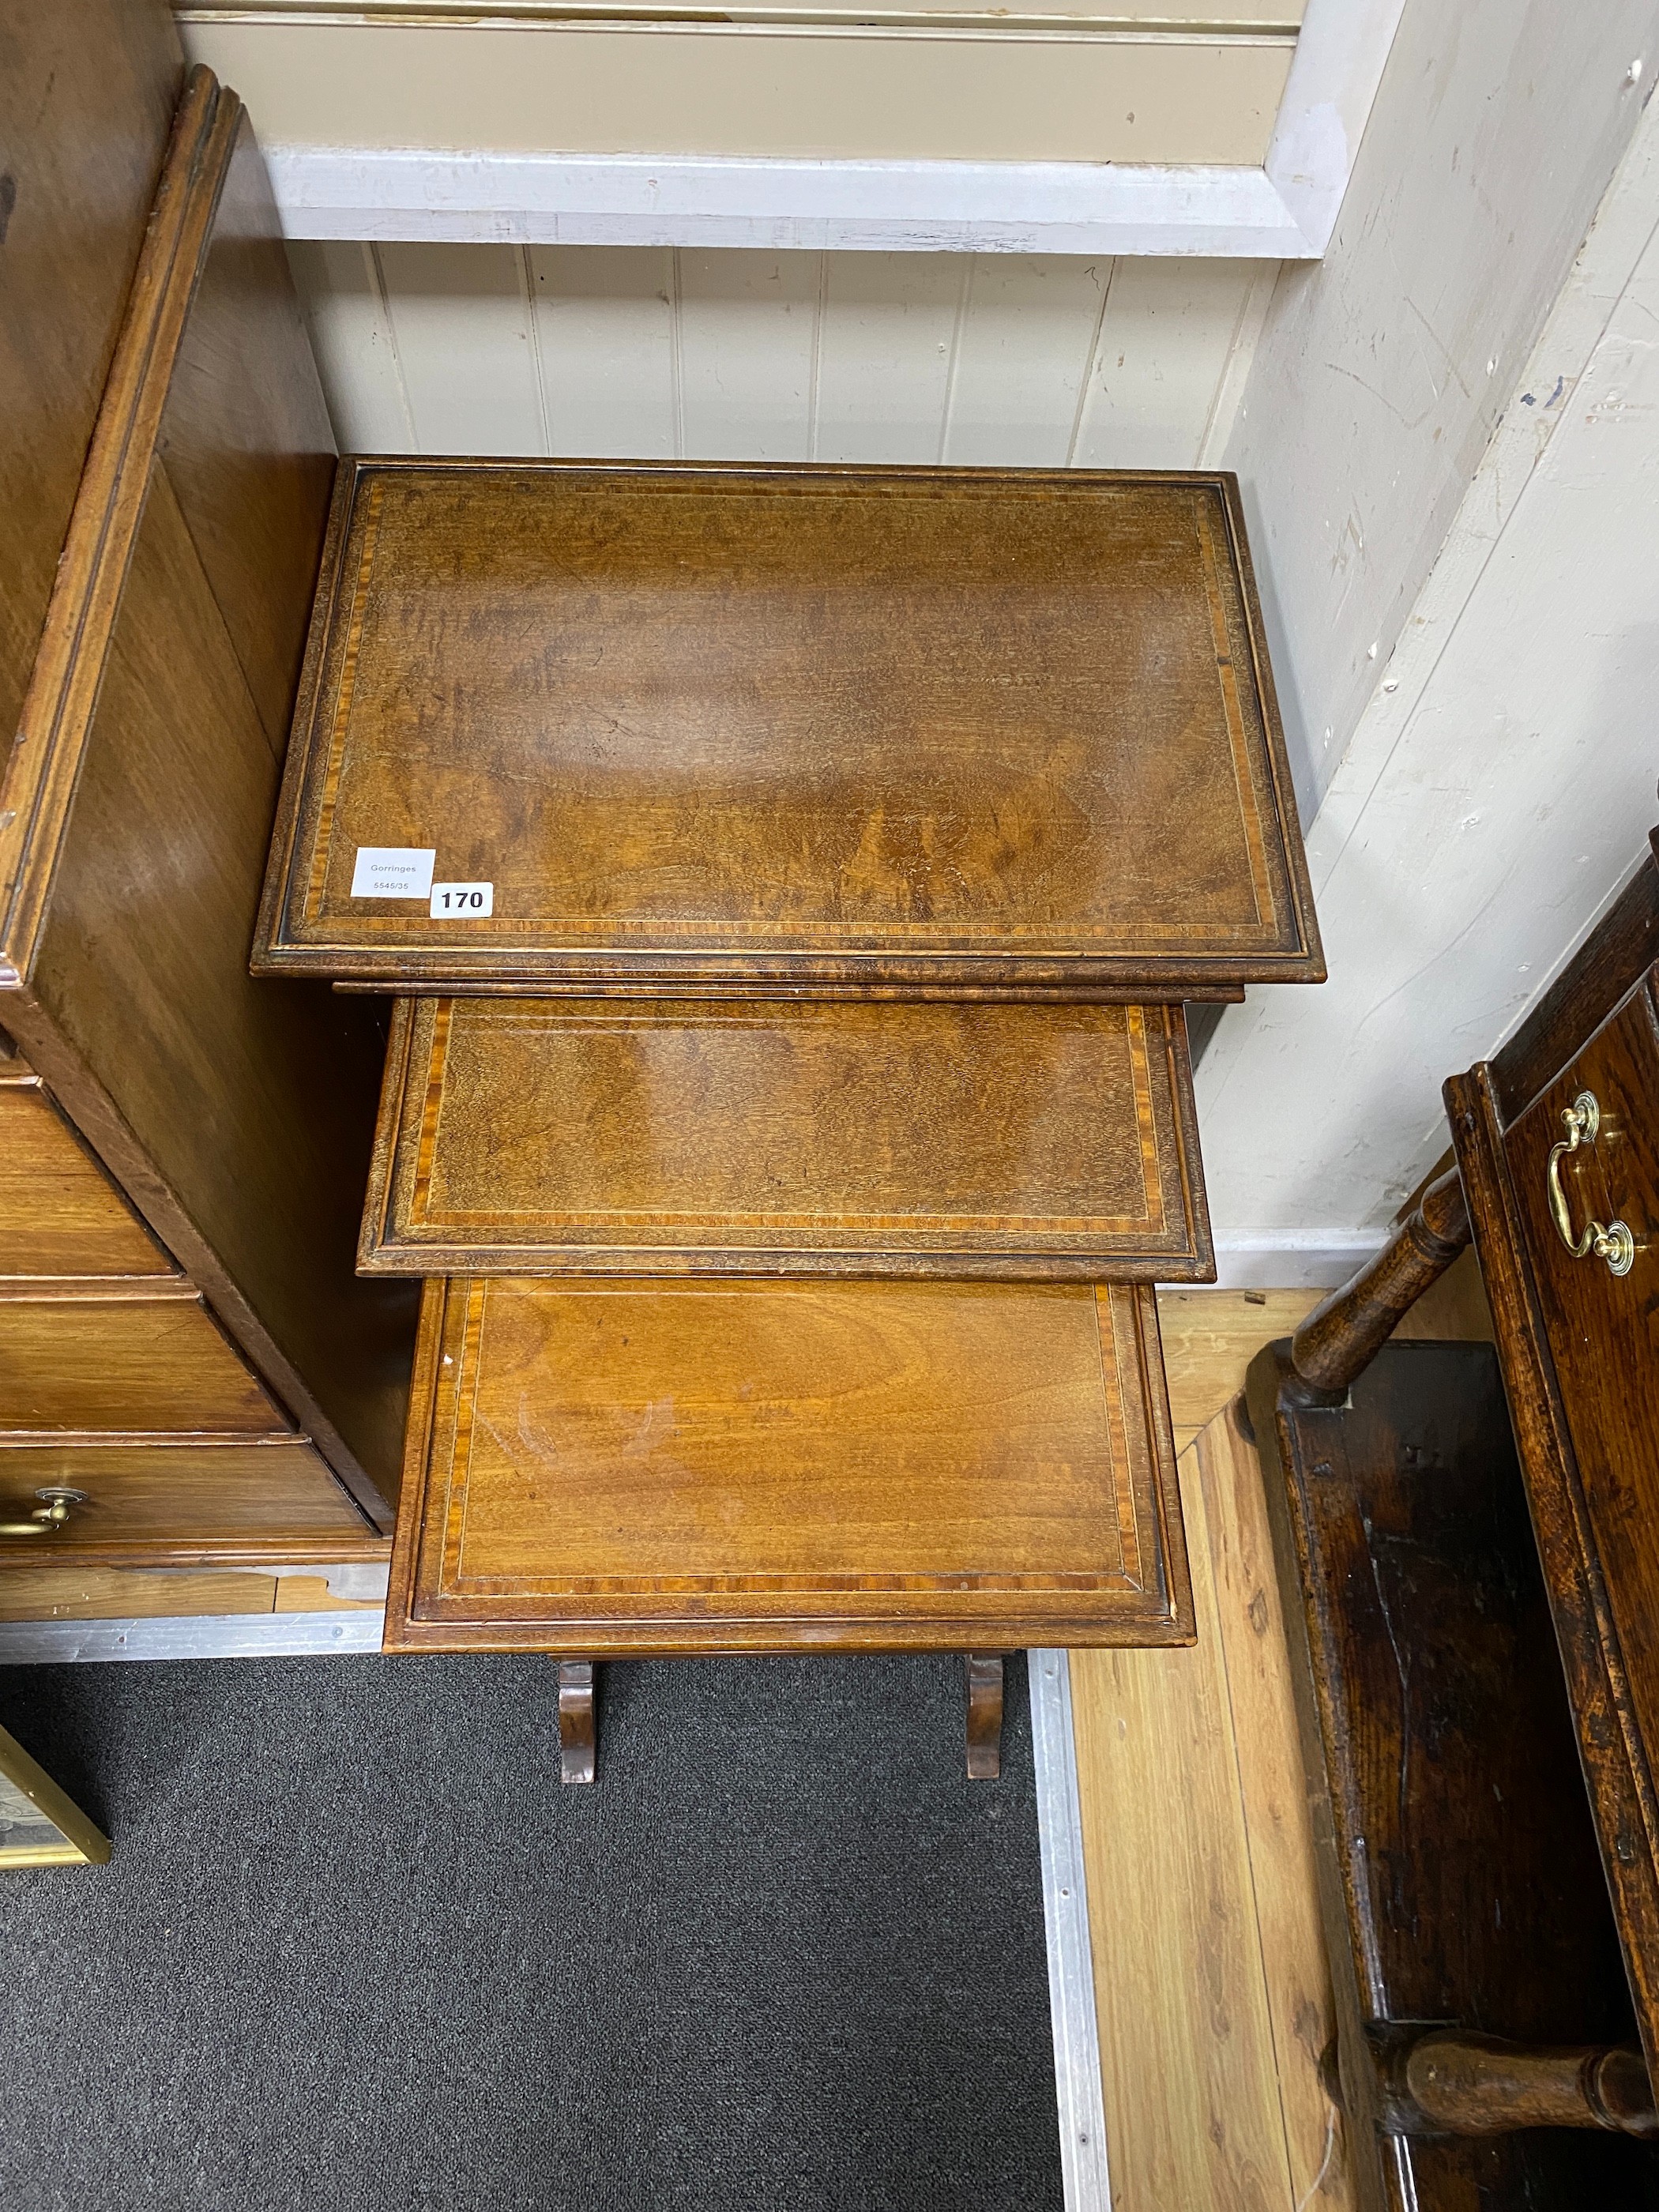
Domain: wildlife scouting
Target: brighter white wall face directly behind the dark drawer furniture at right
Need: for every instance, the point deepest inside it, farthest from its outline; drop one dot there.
(1494, 800)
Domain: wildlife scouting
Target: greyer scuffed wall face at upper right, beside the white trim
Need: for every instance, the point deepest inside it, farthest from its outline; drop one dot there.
(1384, 371)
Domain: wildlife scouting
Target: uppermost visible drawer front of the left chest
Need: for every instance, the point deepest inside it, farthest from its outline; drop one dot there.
(61, 1215)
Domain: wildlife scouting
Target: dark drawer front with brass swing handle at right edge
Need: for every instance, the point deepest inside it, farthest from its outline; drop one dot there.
(1603, 1328)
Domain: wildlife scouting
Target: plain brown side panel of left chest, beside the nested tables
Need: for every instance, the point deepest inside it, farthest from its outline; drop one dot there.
(249, 1107)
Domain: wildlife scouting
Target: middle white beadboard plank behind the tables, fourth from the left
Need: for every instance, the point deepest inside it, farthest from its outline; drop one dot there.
(749, 346)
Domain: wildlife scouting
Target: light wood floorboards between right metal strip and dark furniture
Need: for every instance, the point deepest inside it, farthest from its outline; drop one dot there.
(1211, 1981)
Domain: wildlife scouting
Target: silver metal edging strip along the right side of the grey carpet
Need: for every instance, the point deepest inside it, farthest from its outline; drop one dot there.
(1065, 1914)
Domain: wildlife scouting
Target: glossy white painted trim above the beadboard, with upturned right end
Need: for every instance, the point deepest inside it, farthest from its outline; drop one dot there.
(1282, 211)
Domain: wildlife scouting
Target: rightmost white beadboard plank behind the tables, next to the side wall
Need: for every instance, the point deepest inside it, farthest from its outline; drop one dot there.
(1165, 348)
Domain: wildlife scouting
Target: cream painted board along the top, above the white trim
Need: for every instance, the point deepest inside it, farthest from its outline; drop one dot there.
(747, 90)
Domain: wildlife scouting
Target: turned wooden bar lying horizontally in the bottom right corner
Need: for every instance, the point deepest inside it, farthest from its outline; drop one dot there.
(1479, 2085)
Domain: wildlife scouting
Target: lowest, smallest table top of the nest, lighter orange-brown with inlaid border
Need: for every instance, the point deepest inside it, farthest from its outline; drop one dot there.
(784, 1465)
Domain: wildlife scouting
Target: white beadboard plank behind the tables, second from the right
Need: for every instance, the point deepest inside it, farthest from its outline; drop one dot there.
(1027, 335)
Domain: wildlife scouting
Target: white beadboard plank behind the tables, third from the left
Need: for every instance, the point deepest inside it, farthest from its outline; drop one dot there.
(605, 320)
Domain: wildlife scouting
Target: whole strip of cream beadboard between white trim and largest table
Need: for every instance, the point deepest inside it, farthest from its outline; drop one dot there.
(738, 355)
